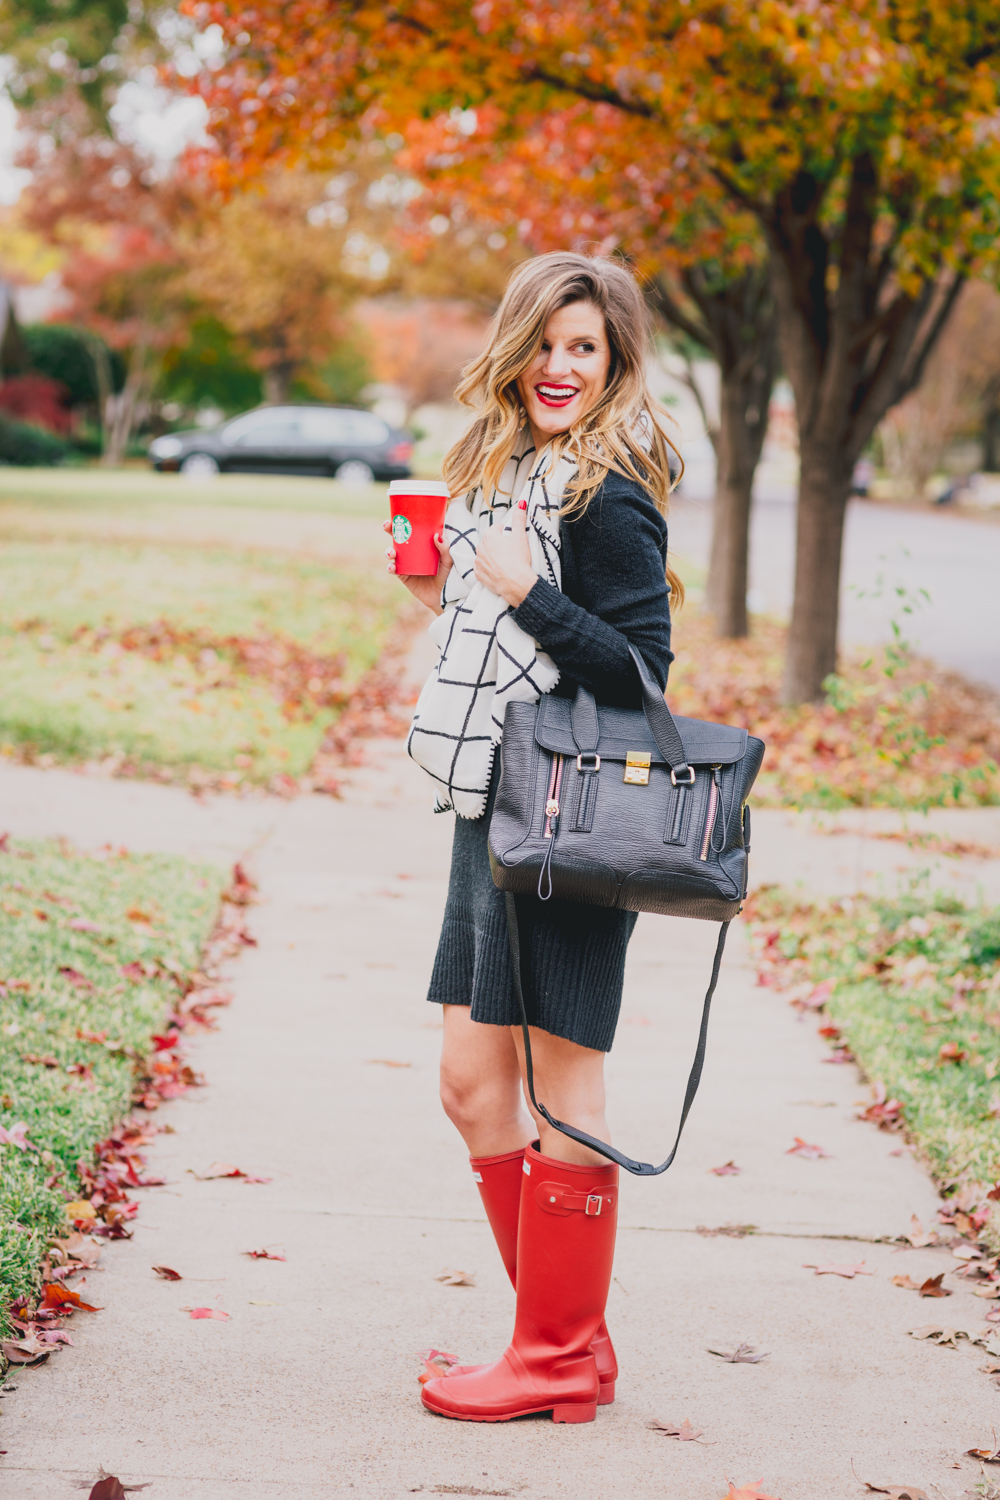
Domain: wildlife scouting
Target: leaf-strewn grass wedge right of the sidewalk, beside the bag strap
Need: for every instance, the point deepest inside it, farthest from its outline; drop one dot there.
(912, 989)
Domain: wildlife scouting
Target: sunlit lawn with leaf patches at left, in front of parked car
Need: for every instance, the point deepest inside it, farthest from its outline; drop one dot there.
(71, 692)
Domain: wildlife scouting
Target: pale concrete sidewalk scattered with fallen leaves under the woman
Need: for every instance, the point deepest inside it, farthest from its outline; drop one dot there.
(323, 1076)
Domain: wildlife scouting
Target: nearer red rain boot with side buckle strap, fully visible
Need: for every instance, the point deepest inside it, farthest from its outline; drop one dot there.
(566, 1249)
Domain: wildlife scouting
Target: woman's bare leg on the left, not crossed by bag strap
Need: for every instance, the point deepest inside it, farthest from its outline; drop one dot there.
(481, 1085)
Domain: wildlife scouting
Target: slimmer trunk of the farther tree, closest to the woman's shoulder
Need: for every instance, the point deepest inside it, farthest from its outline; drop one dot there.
(741, 433)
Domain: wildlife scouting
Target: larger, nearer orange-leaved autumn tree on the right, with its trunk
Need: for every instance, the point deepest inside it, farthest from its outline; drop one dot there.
(860, 136)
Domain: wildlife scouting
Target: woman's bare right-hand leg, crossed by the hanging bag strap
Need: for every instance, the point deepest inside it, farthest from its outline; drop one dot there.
(570, 1084)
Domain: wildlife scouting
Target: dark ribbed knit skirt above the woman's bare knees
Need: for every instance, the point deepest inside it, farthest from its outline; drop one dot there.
(578, 953)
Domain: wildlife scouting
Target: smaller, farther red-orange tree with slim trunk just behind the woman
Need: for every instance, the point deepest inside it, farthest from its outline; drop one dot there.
(575, 179)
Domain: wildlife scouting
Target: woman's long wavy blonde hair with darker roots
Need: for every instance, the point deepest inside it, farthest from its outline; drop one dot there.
(609, 436)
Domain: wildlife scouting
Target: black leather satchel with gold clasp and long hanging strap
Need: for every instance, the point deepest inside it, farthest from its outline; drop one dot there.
(621, 808)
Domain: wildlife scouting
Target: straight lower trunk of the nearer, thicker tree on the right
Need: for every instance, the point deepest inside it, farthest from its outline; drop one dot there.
(824, 491)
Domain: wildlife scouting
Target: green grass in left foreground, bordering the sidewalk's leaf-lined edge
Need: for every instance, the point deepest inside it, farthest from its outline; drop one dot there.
(41, 1012)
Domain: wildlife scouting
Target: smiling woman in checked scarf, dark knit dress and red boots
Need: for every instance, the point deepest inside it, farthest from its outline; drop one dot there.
(551, 566)
